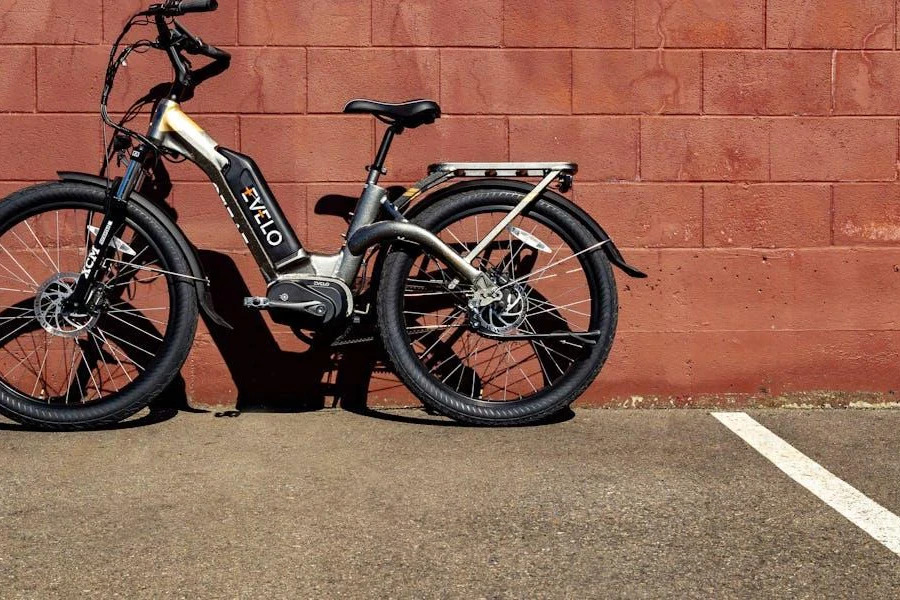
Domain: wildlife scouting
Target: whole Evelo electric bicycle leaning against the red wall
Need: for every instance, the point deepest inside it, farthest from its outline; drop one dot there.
(492, 294)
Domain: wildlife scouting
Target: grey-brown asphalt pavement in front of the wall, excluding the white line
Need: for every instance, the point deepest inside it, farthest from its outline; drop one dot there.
(331, 504)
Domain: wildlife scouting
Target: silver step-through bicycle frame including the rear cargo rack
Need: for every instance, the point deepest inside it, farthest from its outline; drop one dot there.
(174, 130)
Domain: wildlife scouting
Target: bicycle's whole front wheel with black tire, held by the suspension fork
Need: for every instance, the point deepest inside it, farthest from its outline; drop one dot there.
(64, 370)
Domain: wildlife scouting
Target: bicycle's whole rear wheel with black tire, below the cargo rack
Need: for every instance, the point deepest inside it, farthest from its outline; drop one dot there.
(519, 359)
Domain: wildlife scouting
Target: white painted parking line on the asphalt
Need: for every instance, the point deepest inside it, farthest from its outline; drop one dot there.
(859, 509)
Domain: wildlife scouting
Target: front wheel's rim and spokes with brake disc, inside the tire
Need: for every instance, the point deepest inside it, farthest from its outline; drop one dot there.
(53, 357)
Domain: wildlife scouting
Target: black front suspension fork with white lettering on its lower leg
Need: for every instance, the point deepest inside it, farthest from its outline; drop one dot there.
(95, 267)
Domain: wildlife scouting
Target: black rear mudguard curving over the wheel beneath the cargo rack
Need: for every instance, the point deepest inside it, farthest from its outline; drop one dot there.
(612, 252)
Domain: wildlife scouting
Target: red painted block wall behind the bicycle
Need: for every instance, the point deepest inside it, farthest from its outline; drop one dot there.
(743, 152)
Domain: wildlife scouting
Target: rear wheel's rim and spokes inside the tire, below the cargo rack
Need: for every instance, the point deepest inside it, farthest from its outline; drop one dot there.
(546, 287)
